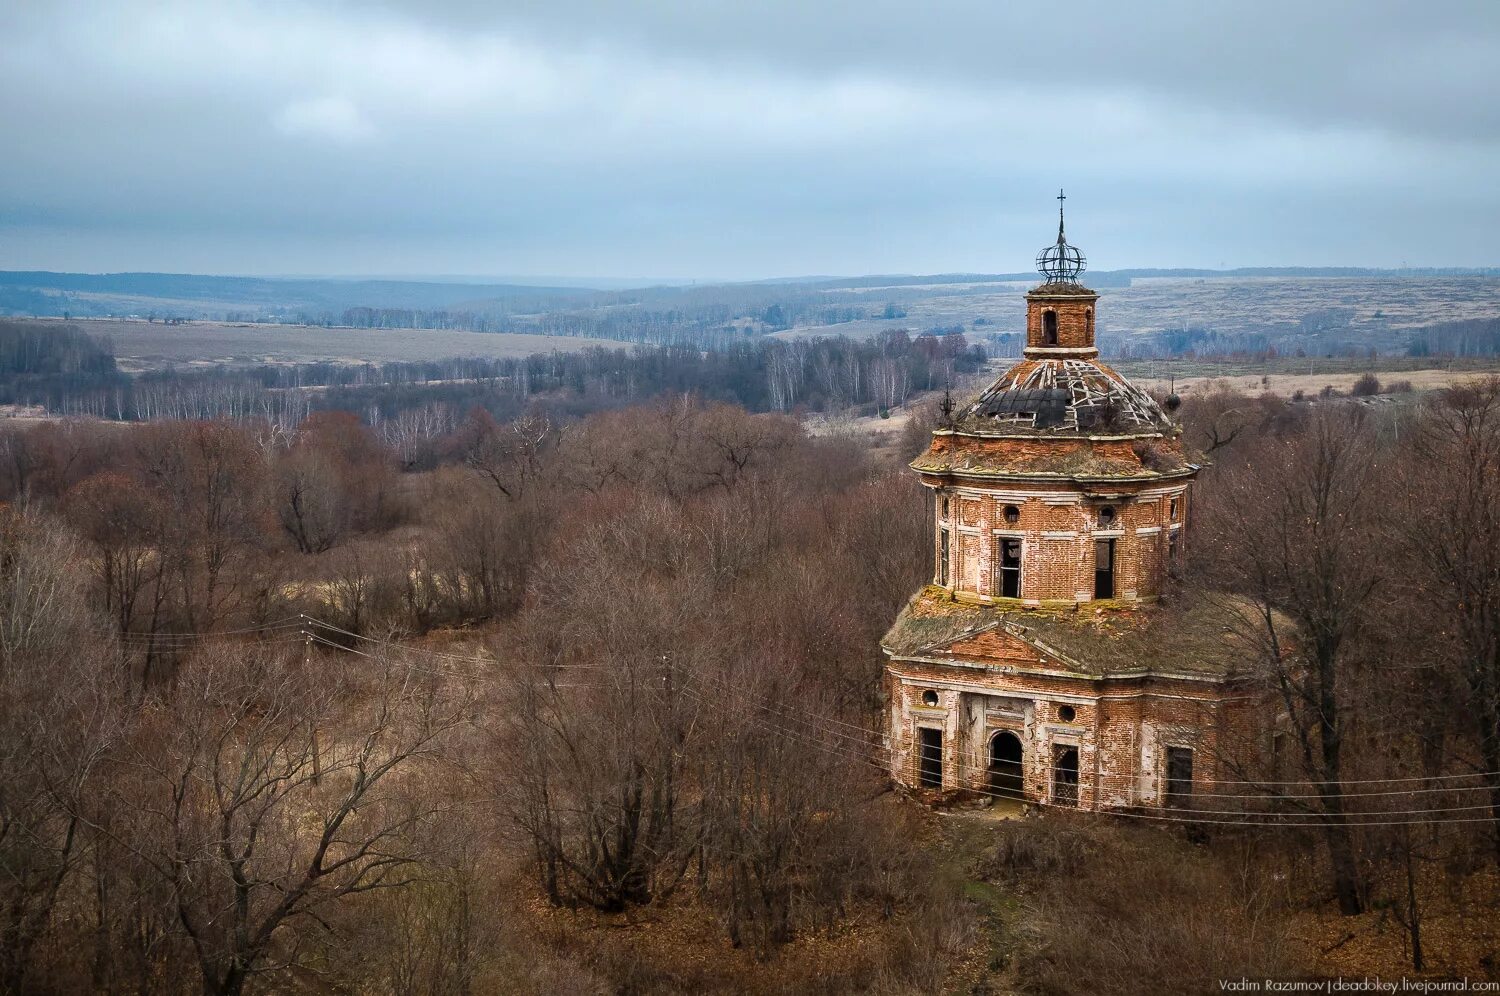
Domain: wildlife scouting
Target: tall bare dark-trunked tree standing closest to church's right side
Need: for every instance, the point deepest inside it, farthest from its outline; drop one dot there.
(1294, 526)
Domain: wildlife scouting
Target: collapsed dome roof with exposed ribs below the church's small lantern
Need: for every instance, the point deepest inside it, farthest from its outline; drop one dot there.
(1064, 397)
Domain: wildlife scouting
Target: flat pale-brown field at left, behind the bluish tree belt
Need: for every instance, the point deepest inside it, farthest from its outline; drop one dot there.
(143, 346)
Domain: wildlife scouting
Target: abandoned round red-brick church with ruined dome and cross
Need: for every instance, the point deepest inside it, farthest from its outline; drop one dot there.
(1037, 664)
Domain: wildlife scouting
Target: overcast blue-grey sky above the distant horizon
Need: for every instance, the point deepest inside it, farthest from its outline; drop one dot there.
(737, 140)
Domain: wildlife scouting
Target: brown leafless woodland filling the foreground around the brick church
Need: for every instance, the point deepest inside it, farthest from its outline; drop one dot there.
(590, 706)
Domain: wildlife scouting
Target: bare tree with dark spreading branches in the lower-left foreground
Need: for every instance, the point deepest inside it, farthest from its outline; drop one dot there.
(257, 793)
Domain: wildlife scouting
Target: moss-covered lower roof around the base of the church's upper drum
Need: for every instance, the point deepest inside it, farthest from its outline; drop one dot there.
(1204, 634)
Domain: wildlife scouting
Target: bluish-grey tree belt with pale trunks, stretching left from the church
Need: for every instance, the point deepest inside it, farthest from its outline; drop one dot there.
(68, 371)
